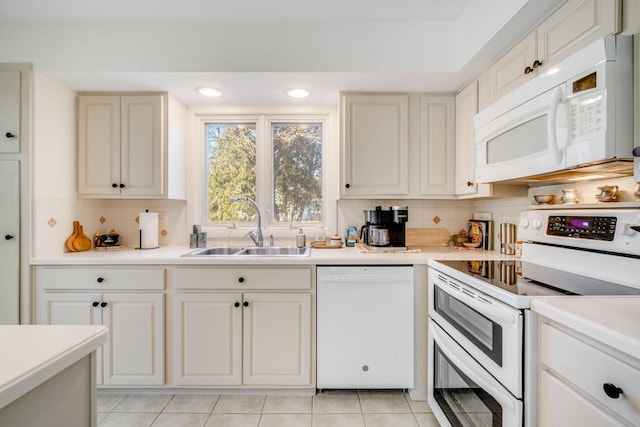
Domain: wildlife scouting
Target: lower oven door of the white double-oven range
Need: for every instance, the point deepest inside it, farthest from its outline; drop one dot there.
(461, 393)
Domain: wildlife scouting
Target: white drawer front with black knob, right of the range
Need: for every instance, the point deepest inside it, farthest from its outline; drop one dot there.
(588, 368)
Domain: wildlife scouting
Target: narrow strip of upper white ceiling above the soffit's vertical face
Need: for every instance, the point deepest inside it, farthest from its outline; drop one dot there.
(231, 10)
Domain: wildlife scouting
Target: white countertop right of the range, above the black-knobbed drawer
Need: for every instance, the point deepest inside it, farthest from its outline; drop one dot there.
(611, 320)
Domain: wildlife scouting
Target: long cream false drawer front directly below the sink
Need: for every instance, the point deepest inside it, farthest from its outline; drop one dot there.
(243, 278)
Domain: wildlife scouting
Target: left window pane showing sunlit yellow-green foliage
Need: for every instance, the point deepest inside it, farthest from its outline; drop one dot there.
(231, 170)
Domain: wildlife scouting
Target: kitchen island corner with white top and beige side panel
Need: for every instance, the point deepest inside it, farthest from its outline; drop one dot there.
(47, 374)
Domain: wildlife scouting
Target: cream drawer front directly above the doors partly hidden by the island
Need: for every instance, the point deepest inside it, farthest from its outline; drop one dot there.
(100, 278)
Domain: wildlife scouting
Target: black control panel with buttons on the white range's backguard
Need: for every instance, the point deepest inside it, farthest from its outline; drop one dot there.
(583, 227)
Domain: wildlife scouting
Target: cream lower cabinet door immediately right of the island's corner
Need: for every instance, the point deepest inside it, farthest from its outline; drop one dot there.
(134, 352)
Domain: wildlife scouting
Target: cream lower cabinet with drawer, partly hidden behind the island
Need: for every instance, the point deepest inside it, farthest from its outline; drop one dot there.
(134, 352)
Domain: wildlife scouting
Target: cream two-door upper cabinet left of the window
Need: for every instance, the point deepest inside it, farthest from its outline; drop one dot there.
(124, 144)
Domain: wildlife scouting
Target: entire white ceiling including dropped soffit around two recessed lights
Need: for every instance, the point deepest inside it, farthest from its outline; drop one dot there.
(254, 50)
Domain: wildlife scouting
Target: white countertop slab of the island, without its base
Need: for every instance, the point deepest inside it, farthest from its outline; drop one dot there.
(31, 354)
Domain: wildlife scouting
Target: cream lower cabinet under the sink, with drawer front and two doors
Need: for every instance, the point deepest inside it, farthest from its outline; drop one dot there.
(235, 337)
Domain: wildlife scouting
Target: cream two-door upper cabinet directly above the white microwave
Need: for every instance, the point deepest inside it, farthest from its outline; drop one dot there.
(571, 27)
